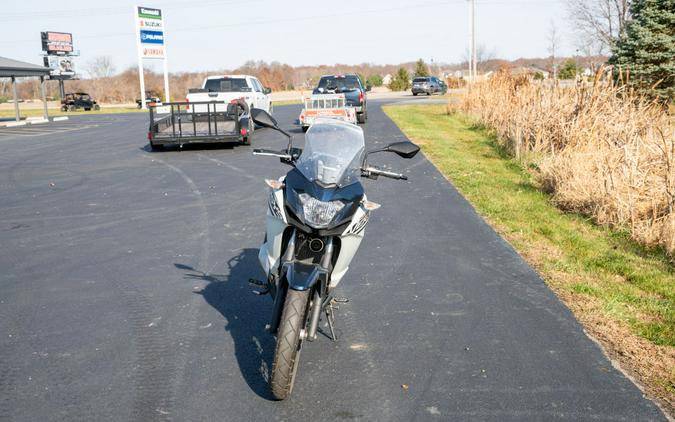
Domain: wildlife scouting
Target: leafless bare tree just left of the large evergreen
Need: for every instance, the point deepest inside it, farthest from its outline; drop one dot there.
(599, 22)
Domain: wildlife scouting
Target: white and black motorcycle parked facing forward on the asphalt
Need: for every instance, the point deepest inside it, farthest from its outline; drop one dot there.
(316, 218)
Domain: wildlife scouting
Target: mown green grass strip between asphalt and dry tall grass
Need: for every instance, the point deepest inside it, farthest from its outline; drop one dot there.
(630, 283)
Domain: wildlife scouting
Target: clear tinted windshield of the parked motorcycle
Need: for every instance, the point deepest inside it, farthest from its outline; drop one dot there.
(333, 153)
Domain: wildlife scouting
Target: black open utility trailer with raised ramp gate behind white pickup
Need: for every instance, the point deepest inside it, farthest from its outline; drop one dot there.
(181, 123)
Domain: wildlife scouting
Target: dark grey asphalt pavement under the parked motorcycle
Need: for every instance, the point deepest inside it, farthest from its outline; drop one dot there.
(124, 295)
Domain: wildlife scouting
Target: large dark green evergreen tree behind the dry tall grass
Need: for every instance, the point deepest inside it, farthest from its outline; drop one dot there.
(647, 51)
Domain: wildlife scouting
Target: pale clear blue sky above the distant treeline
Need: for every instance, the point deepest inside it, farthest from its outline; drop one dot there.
(220, 34)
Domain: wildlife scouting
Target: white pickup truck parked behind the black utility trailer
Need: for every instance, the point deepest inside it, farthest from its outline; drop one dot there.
(227, 88)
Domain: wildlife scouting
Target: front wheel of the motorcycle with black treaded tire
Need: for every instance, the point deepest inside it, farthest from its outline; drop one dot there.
(287, 353)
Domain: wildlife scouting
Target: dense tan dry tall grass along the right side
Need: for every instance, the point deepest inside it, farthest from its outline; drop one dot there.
(600, 149)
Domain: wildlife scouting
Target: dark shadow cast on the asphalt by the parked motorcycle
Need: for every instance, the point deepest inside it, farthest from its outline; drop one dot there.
(246, 315)
